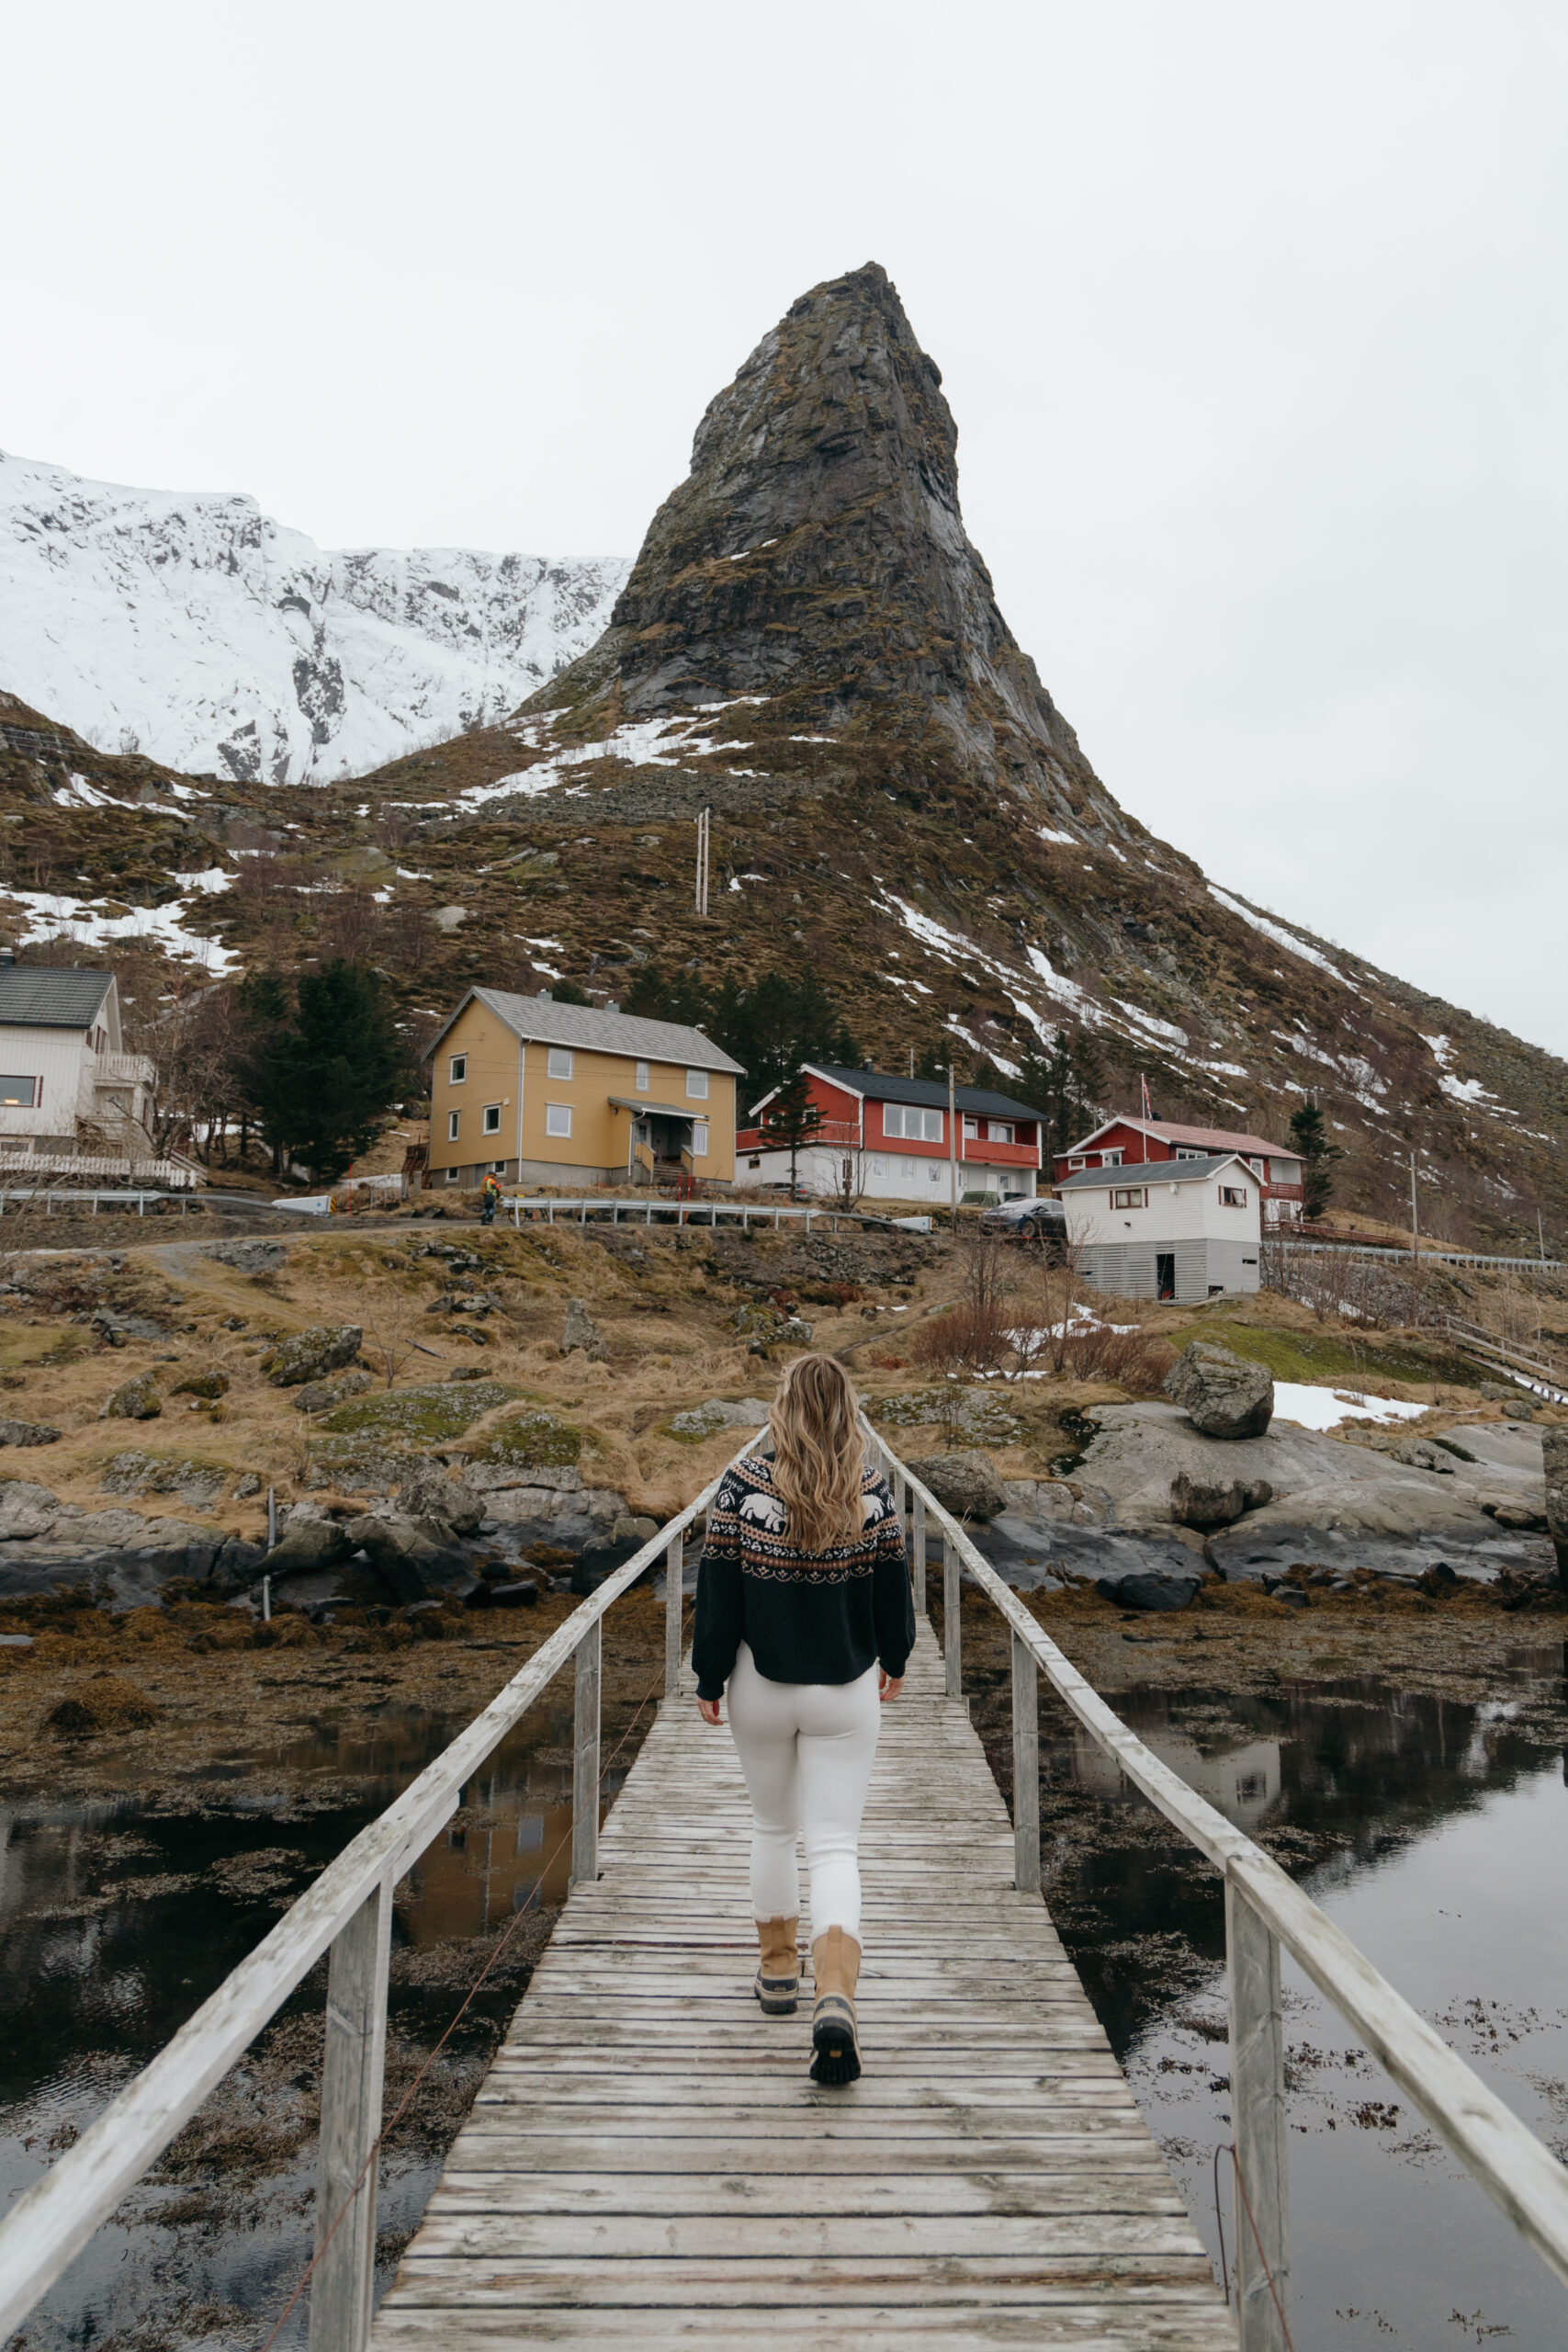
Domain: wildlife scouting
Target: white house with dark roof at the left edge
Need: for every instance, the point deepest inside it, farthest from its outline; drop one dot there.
(72, 1100)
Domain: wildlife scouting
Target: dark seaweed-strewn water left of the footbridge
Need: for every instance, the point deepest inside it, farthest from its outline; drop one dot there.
(116, 1923)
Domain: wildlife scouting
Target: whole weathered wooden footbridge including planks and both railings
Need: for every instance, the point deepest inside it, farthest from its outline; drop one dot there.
(650, 2163)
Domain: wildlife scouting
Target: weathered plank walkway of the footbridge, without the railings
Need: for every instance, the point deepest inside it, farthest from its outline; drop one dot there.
(650, 2160)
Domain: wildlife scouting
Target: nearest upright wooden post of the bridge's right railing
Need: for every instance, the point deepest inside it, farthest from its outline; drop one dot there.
(1259, 2125)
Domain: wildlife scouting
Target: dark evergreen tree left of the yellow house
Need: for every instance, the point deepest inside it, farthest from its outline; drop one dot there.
(326, 1074)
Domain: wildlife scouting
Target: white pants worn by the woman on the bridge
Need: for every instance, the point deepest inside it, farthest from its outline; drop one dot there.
(808, 1756)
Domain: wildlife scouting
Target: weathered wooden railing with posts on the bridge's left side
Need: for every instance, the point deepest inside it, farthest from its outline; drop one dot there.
(349, 1916)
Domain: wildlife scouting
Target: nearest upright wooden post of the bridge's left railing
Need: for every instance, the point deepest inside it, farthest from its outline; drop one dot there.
(351, 2125)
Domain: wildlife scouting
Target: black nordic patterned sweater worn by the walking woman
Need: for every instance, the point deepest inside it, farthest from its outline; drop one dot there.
(808, 1617)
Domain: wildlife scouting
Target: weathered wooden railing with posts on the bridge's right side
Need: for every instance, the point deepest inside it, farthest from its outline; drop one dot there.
(1264, 1913)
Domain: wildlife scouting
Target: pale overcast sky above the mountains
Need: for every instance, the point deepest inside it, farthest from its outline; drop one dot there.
(1252, 321)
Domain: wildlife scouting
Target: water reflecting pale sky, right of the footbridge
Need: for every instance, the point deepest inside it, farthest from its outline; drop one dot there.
(1435, 1833)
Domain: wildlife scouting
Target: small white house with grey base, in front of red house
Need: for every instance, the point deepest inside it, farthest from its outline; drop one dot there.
(1167, 1229)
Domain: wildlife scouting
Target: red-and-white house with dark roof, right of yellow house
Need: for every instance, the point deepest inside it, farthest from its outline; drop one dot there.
(899, 1140)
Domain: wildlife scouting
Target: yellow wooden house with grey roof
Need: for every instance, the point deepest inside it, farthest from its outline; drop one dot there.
(577, 1095)
